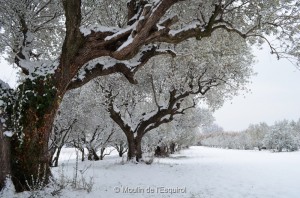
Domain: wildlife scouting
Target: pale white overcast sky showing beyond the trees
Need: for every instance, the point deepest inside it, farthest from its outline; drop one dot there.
(275, 94)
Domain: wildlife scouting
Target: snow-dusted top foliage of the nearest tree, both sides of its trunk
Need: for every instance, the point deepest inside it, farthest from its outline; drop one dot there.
(32, 32)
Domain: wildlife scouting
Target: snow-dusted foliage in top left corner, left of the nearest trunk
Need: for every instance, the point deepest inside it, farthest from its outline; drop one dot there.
(32, 35)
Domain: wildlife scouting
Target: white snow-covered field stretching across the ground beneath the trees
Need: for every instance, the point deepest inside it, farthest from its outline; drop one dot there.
(197, 172)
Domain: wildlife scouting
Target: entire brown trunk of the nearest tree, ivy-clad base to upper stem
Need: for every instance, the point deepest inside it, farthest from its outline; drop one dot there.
(39, 102)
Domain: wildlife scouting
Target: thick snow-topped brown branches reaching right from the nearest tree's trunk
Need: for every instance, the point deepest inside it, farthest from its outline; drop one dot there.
(125, 44)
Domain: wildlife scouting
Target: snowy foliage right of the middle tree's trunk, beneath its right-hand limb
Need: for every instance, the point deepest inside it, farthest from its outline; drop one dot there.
(182, 132)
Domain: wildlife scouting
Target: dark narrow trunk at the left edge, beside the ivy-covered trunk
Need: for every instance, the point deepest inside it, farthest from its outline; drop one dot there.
(4, 157)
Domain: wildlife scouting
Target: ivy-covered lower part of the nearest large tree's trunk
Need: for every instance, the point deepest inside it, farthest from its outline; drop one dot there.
(30, 157)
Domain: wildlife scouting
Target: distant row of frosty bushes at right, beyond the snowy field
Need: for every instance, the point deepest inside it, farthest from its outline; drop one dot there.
(282, 136)
